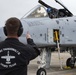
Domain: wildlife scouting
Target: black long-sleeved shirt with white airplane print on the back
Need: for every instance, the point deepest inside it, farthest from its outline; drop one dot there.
(15, 56)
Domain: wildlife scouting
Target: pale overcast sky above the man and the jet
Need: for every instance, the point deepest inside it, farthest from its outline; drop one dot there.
(18, 8)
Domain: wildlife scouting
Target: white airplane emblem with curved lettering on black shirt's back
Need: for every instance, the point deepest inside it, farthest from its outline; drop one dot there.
(7, 58)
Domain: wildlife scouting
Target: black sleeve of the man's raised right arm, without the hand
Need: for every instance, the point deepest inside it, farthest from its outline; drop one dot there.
(33, 49)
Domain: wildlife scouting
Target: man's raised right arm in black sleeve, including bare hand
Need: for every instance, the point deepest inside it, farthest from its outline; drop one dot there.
(33, 49)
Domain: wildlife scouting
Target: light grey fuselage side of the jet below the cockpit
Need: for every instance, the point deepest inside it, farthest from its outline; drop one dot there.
(42, 31)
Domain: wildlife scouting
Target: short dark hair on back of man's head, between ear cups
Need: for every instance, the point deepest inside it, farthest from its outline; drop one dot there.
(12, 25)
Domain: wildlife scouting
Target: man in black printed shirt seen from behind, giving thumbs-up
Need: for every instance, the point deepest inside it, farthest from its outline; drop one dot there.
(14, 55)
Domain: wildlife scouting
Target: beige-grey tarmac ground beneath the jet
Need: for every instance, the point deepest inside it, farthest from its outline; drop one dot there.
(54, 65)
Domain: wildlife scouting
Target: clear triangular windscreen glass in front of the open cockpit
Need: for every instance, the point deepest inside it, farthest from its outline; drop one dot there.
(38, 13)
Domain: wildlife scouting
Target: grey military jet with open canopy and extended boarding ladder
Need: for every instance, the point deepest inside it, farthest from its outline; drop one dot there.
(51, 29)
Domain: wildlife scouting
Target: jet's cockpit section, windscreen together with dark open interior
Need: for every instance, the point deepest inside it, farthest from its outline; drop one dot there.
(40, 11)
